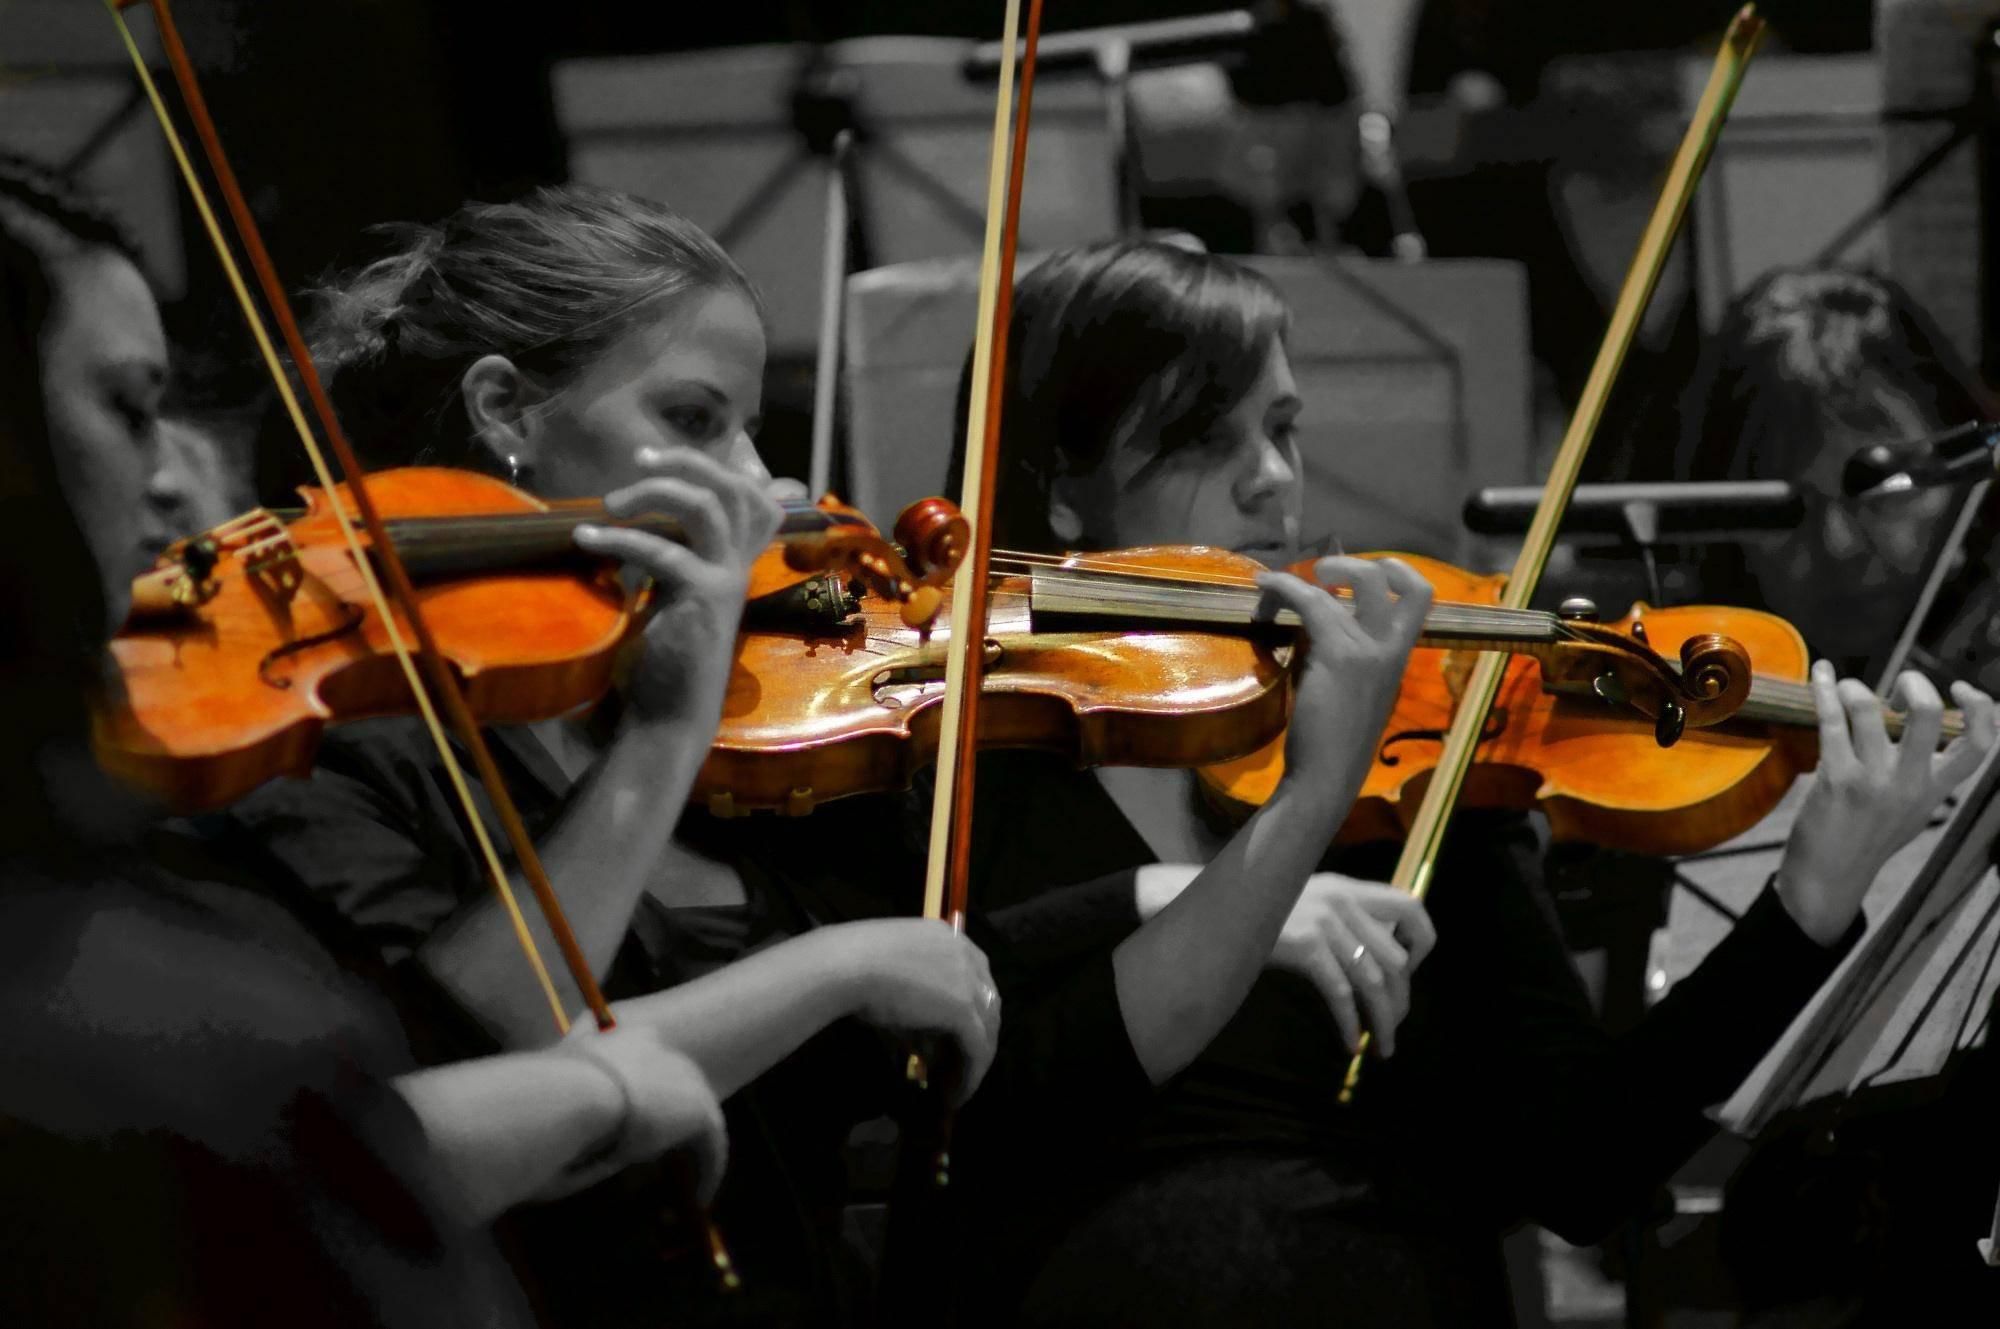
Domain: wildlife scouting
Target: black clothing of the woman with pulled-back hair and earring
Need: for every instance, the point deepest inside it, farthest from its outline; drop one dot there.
(377, 840)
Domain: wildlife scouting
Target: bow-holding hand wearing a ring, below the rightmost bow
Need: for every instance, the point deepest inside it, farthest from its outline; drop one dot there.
(1357, 938)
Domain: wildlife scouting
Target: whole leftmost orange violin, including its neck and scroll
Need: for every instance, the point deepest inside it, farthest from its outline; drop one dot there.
(247, 641)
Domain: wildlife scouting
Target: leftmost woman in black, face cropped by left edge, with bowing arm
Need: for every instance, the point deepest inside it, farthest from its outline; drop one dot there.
(203, 1116)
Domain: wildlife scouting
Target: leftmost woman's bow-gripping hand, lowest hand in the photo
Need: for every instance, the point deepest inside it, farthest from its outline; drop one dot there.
(669, 1108)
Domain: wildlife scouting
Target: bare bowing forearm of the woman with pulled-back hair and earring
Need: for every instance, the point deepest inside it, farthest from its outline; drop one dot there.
(743, 1020)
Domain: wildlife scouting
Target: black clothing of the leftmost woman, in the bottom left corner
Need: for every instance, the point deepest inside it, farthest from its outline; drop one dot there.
(197, 1126)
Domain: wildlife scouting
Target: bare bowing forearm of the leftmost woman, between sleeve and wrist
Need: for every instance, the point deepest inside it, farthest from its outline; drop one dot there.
(503, 1130)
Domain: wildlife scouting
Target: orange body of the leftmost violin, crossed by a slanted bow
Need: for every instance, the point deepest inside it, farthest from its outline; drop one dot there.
(237, 690)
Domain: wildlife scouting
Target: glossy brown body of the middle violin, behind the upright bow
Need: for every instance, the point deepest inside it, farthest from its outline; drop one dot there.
(815, 716)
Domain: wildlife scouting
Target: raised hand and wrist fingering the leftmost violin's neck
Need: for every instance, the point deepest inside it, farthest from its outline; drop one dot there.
(699, 587)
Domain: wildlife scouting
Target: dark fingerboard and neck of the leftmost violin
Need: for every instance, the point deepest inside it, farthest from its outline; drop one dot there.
(441, 547)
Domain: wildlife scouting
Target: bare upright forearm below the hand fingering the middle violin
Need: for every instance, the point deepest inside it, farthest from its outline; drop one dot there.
(1183, 976)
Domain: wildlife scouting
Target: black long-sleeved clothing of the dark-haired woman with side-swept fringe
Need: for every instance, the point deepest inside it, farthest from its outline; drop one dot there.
(1241, 1192)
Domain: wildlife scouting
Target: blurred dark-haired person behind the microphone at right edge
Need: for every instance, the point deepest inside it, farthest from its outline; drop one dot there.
(1869, 1224)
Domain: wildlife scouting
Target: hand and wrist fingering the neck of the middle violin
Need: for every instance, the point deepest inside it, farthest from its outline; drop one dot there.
(1353, 663)
